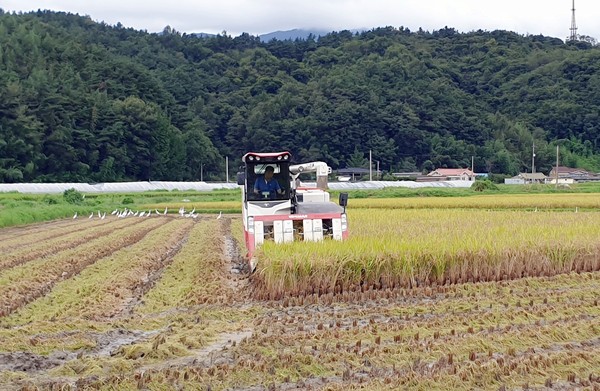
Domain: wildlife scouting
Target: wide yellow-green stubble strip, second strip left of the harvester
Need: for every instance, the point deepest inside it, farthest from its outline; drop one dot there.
(112, 283)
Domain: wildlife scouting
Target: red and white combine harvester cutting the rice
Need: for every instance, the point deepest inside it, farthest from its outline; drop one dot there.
(292, 213)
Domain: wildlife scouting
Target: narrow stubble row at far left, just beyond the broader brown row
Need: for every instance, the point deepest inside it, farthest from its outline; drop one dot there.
(57, 244)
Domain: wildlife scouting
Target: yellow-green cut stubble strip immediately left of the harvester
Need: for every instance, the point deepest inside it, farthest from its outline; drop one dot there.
(193, 302)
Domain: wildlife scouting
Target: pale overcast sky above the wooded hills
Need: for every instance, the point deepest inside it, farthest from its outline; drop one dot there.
(547, 17)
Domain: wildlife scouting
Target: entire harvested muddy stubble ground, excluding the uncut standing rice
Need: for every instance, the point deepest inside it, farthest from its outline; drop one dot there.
(165, 302)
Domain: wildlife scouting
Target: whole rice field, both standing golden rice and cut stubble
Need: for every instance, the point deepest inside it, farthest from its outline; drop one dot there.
(490, 292)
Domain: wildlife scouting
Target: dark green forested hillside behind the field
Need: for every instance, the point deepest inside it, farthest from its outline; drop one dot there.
(85, 101)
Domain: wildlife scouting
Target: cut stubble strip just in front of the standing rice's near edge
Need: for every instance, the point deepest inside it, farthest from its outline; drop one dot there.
(445, 308)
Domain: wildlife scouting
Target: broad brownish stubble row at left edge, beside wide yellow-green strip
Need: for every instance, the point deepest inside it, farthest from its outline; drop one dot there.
(24, 286)
